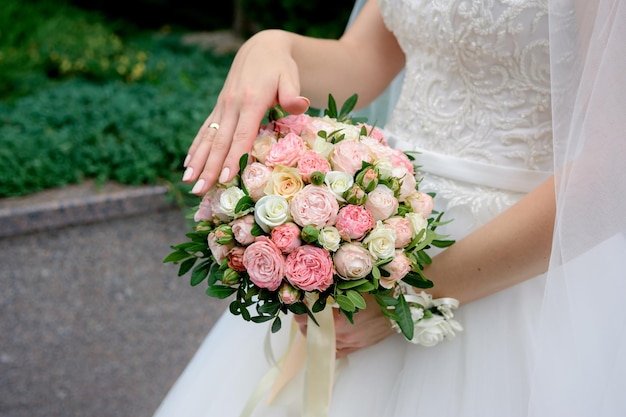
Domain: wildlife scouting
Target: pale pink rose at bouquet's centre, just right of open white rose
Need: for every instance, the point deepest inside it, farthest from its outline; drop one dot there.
(315, 206)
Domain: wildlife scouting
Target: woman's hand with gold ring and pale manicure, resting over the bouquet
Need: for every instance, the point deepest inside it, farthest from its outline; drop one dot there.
(262, 75)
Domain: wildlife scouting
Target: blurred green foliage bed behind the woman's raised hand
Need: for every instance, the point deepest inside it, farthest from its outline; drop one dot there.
(86, 94)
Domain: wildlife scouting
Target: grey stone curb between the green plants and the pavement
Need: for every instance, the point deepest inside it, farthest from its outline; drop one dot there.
(78, 204)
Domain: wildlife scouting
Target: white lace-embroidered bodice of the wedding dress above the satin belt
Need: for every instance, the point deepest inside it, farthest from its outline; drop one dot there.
(477, 83)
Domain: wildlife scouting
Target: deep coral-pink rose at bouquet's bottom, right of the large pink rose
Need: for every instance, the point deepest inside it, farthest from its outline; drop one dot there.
(309, 268)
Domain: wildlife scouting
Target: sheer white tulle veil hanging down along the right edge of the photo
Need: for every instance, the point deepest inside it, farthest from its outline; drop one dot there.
(580, 358)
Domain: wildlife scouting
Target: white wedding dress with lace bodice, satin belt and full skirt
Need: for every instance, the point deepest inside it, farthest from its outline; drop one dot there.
(476, 100)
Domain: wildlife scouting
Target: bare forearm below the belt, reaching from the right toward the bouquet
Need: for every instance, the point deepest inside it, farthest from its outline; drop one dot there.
(510, 249)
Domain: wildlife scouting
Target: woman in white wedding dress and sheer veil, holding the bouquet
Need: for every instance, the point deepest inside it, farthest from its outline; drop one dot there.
(517, 110)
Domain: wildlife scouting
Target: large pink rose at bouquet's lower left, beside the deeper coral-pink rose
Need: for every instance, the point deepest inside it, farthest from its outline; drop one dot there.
(264, 263)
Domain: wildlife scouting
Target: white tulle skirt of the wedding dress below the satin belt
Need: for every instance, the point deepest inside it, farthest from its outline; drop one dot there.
(485, 371)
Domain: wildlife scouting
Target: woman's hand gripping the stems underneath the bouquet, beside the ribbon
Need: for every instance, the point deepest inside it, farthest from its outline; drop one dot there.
(369, 328)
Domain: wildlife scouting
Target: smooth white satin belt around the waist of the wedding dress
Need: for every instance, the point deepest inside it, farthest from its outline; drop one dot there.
(496, 176)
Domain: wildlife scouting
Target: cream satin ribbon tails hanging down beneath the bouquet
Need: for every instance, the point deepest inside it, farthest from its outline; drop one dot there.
(316, 352)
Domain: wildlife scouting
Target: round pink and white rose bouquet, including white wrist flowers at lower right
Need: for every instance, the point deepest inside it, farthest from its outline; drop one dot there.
(322, 211)
